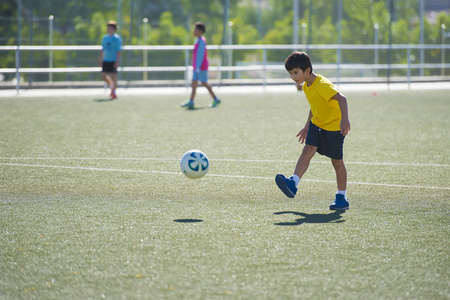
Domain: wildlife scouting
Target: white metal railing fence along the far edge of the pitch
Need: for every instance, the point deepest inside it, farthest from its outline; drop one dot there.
(263, 66)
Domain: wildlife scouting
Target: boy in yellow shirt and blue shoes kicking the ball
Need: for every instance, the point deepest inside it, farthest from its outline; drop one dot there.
(324, 131)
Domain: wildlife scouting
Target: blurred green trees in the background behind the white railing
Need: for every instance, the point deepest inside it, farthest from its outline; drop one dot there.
(171, 23)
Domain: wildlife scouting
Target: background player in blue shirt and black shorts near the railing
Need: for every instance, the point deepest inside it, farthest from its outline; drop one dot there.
(110, 56)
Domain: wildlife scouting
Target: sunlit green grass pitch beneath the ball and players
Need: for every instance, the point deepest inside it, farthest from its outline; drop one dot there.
(93, 205)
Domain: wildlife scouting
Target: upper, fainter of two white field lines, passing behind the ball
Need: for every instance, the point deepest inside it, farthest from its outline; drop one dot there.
(225, 160)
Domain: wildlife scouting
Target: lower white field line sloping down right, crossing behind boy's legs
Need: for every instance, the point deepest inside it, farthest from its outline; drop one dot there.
(216, 175)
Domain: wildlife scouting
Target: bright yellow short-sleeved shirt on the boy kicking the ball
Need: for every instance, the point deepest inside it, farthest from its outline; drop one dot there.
(325, 110)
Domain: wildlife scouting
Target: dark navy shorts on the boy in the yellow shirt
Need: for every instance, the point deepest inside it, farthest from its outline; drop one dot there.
(328, 143)
